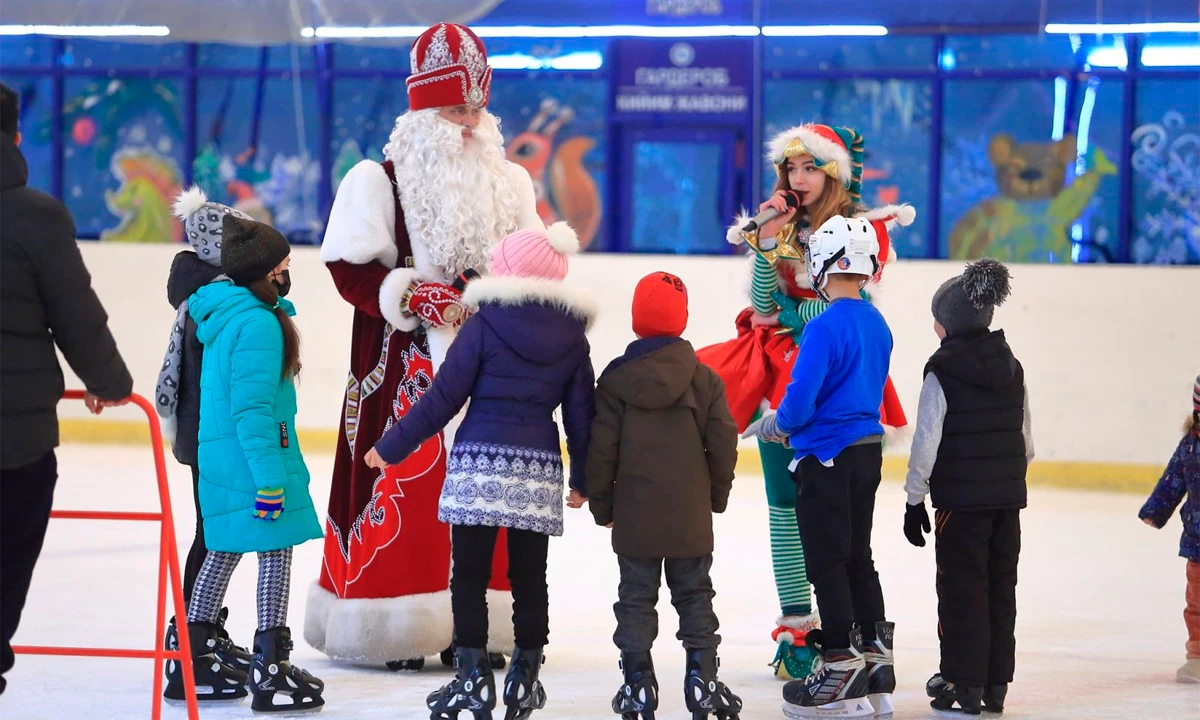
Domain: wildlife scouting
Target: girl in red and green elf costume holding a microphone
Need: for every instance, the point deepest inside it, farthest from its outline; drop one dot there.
(825, 166)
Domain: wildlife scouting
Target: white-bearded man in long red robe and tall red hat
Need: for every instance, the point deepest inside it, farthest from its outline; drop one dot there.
(404, 237)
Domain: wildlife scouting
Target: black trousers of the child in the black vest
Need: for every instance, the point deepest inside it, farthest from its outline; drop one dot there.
(977, 557)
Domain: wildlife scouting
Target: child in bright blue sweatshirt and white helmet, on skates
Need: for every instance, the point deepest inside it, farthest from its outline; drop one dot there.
(831, 418)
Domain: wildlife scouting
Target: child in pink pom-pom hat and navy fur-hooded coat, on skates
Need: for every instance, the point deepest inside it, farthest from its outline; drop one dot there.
(521, 357)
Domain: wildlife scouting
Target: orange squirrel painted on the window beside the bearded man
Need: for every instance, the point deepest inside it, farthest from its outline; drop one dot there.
(573, 193)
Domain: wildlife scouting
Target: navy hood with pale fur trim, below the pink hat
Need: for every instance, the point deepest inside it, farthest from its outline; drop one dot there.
(539, 320)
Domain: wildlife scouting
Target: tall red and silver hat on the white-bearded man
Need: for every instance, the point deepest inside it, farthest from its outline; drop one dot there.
(449, 69)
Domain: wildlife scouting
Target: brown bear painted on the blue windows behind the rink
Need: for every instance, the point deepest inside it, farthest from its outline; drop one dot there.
(1029, 219)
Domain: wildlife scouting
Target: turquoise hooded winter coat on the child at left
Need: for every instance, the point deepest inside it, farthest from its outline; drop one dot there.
(248, 436)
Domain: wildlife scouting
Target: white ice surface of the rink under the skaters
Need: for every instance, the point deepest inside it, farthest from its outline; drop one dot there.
(1100, 629)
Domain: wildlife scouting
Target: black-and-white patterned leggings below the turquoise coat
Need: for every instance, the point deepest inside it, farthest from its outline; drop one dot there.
(274, 586)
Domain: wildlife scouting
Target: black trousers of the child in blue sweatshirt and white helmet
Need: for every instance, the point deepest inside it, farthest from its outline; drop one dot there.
(836, 508)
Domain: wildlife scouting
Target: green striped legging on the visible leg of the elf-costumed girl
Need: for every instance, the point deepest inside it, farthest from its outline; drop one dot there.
(787, 553)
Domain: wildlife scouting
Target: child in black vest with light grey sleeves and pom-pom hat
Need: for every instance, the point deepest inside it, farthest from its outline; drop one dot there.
(971, 451)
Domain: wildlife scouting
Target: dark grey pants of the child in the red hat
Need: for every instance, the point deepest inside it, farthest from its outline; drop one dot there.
(692, 593)
